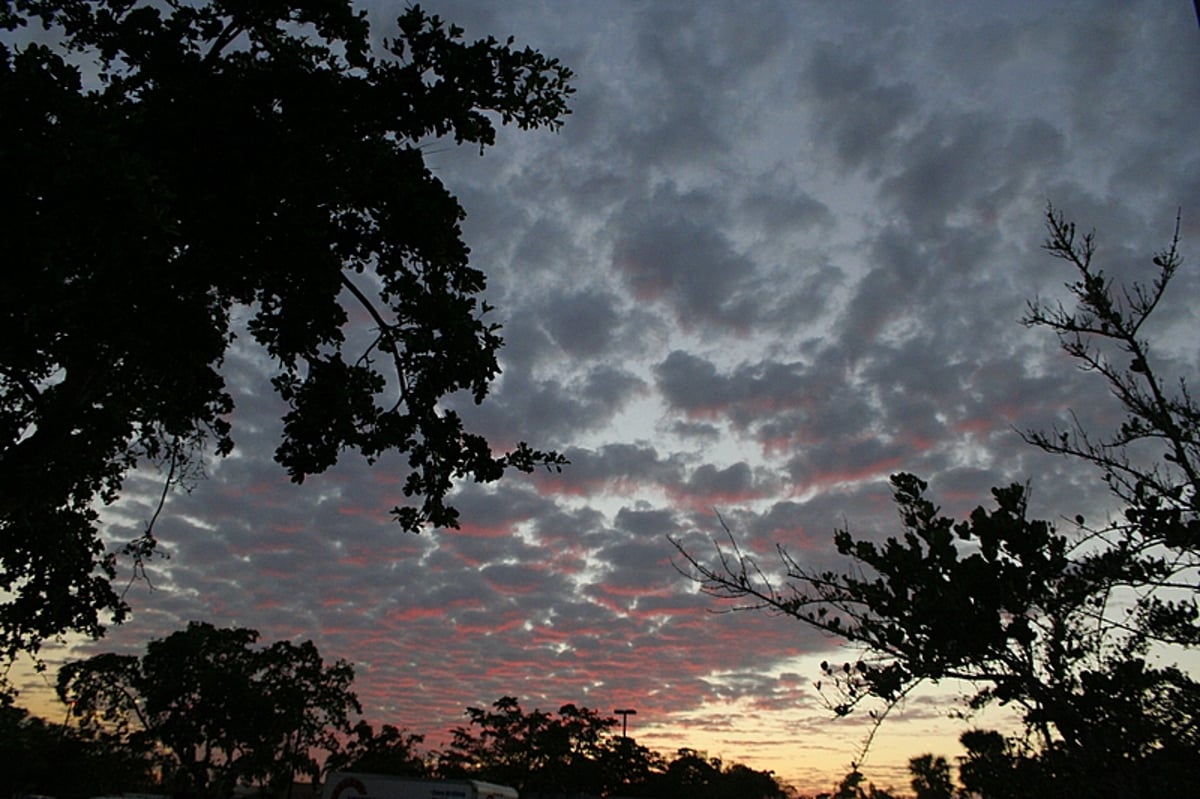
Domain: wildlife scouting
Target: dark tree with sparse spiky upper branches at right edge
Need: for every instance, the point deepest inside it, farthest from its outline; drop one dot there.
(1059, 626)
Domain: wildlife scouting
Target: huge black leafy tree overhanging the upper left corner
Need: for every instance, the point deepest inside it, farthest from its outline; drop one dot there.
(170, 166)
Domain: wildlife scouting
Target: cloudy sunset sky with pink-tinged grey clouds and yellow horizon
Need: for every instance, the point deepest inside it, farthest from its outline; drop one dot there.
(778, 253)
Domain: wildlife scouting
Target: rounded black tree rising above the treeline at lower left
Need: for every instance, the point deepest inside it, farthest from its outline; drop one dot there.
(226, 711)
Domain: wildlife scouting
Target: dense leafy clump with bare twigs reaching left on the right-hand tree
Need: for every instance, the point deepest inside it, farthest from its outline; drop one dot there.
(980, 600)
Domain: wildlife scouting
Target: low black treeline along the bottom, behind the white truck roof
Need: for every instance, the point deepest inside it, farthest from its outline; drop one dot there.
(207, 712)
